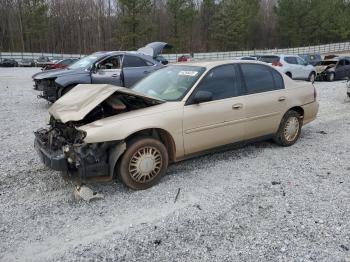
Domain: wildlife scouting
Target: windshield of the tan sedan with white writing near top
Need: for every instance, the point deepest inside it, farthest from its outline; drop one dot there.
(170, 83)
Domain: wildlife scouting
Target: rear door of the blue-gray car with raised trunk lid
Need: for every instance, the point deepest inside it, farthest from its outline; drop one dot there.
(135, 68)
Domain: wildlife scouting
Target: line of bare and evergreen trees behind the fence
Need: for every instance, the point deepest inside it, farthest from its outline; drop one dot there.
(85, 26)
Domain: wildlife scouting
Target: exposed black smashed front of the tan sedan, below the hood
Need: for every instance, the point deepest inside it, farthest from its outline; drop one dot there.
(62, 148)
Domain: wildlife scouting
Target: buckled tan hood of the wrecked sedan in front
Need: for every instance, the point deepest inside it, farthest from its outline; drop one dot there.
(83, 98)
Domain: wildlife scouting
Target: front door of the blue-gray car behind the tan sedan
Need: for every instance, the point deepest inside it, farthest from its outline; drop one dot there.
(108, 71)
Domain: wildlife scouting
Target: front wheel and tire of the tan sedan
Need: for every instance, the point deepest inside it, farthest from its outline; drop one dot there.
(144, 153)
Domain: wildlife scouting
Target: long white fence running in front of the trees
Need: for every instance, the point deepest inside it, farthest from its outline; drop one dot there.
(322, 49)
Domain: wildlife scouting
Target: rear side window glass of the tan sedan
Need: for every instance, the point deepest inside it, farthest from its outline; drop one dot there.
(259, 78)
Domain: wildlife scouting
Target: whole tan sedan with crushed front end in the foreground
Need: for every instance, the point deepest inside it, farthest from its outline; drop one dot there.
(104, 131)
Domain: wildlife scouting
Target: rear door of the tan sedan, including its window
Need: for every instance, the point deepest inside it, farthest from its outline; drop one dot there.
(265, 100)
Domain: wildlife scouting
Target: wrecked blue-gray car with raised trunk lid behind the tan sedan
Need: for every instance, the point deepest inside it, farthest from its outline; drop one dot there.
(120, 68)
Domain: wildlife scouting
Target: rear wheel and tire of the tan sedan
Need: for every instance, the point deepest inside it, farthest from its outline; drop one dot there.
(289, 130)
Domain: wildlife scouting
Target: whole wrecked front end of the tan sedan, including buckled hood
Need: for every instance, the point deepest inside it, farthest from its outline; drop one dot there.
(63, 147)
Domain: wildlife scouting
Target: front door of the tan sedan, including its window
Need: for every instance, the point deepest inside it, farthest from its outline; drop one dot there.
(217, 122)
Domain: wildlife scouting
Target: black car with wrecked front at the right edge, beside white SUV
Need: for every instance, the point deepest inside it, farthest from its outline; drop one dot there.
(333, 69)
